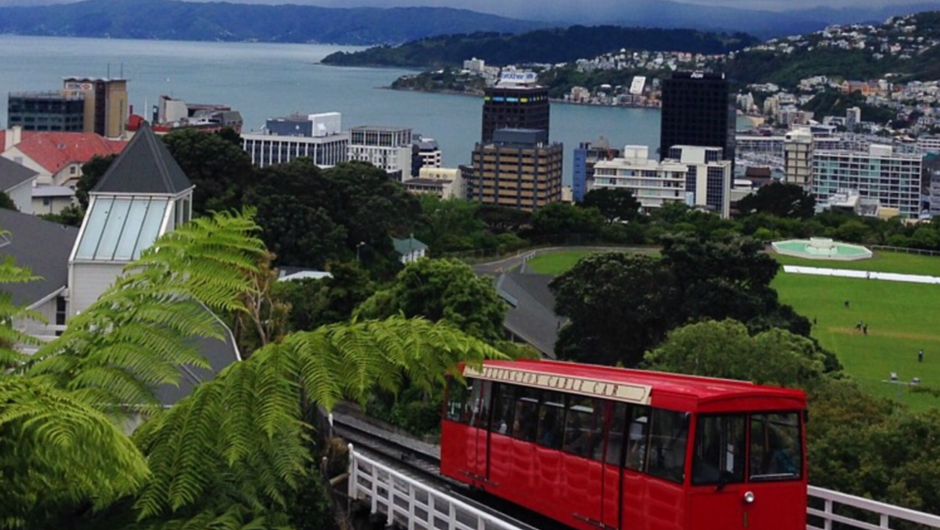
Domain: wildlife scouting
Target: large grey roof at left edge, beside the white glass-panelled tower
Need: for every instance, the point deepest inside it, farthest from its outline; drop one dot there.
(43, 247)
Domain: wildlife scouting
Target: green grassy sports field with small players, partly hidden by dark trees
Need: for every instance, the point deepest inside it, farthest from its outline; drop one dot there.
(902, 318)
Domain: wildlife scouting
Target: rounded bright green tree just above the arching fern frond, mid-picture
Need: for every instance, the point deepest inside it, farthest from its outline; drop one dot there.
(439, 289)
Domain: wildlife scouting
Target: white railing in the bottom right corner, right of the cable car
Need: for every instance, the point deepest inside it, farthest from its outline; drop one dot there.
(884, 513)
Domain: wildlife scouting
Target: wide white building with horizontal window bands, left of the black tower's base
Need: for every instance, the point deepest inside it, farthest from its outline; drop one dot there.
(653, 183)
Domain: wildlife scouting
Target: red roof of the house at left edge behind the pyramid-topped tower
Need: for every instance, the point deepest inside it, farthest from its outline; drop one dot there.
(56, 150)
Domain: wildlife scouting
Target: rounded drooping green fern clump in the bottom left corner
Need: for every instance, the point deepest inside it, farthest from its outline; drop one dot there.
(55, 450)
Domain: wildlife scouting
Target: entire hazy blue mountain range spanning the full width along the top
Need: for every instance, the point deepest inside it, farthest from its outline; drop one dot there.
(178, 20)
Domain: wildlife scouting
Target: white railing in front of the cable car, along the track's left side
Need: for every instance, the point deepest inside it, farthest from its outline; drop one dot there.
(412, 504)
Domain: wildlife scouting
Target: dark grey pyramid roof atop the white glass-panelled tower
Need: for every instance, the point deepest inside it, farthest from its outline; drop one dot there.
(145, 166)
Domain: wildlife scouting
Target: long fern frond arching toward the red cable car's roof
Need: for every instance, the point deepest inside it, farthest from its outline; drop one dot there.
(242, 432)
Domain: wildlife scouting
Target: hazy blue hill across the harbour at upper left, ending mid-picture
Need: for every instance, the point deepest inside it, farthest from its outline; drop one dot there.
(218, 21)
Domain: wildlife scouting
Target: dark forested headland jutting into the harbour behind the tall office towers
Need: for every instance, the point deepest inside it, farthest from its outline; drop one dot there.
(540, 46)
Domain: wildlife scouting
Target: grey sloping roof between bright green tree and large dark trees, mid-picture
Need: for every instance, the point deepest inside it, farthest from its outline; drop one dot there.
(531, 315)
